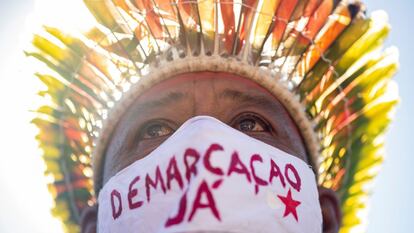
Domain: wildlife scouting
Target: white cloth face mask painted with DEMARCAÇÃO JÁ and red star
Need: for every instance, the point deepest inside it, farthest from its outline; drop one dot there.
(209, 177)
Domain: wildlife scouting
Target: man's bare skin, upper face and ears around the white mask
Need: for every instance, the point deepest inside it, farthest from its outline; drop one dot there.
(236, 101)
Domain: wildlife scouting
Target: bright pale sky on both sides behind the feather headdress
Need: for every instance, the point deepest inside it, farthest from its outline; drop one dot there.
(391, 207)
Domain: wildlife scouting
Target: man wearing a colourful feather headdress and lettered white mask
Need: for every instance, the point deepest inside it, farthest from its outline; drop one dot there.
(295, 75)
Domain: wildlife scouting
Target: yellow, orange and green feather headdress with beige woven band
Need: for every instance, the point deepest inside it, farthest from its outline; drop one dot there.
(323, 58)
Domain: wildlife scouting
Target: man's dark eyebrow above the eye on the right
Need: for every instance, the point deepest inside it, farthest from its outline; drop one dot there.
(245, 98)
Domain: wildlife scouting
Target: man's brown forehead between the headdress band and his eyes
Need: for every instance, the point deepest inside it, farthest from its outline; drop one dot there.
(222, 86)
